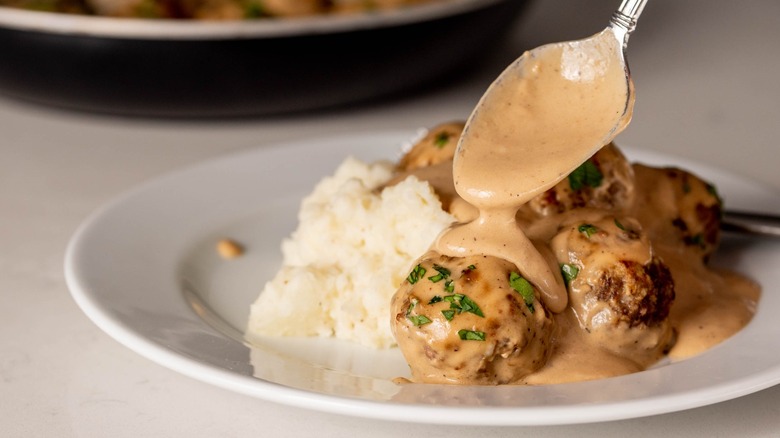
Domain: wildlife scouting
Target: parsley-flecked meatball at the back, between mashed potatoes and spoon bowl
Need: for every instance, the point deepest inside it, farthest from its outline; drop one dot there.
(437, 146)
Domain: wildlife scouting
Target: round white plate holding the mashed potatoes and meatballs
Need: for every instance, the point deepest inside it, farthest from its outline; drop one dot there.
(144, 269)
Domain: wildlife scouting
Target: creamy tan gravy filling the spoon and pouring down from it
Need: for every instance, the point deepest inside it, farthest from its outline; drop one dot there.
(542, 118)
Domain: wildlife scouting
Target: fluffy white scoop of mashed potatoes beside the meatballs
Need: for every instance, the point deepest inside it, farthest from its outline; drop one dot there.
(353, 247)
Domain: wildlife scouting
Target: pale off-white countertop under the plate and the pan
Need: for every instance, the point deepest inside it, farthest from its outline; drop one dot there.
(705, 74)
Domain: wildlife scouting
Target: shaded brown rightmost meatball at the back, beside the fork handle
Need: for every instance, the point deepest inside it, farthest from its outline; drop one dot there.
(678, 206)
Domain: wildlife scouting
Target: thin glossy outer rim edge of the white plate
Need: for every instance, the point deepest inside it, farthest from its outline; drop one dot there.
(280, 393)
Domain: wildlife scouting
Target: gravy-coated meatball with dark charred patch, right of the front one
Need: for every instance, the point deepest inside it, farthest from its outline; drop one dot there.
(619, 290)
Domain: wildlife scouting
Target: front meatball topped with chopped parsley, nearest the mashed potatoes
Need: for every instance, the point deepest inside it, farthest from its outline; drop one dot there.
(471, 320)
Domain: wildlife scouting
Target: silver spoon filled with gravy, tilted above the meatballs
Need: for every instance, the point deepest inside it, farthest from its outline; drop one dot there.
(573, 90)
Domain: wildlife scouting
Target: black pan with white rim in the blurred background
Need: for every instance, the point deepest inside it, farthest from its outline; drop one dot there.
(171, 68)
